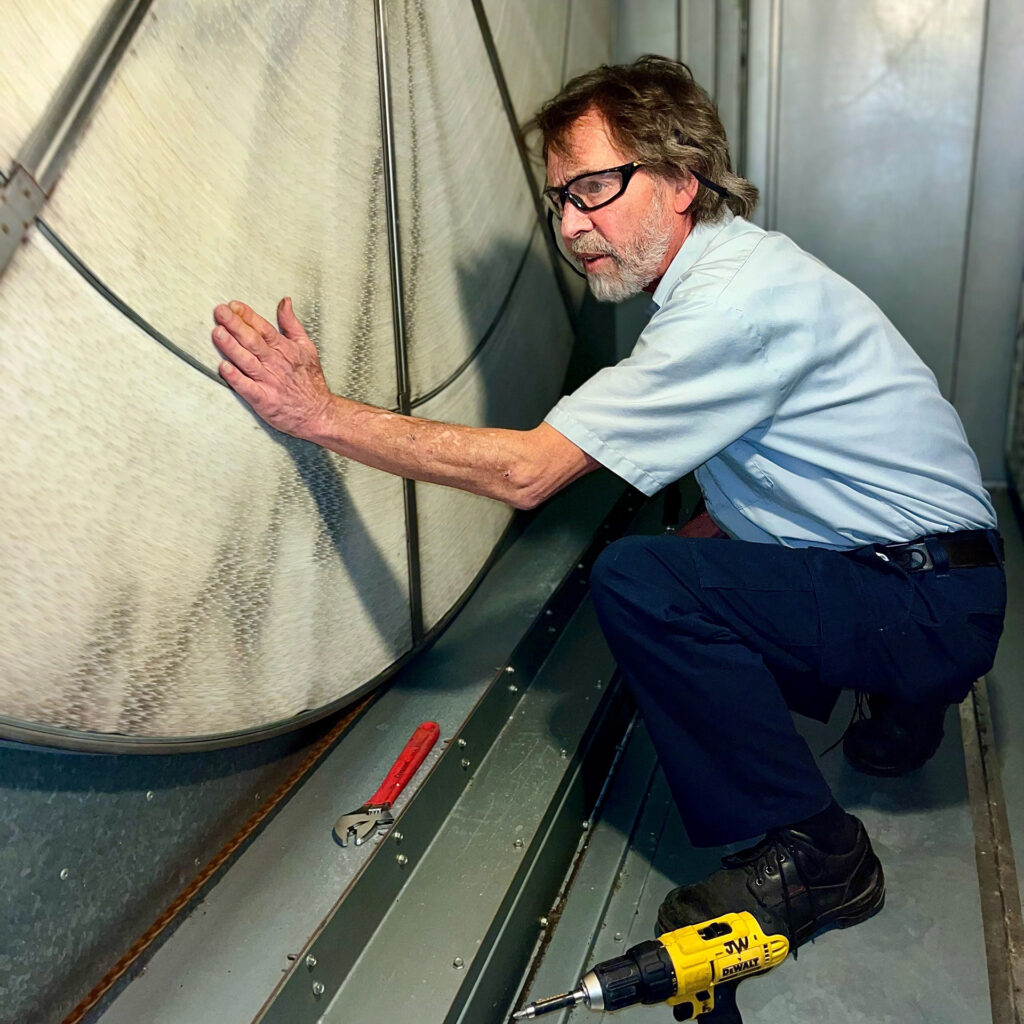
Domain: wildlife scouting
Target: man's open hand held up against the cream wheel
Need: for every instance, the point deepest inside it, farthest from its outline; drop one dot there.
(277, 372)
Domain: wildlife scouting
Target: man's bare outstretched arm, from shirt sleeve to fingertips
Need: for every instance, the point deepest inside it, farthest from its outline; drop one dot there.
(279, 375)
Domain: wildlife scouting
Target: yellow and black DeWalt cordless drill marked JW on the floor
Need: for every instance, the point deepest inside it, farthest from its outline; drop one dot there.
(695, 970)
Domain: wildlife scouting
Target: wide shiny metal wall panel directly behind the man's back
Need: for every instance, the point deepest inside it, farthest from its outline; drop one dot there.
(875, 152)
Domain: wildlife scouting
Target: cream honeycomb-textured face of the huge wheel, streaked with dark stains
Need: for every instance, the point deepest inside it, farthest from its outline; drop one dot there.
(173, 569)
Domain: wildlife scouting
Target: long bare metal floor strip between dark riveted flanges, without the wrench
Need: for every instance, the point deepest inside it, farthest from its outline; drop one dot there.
(434, 950)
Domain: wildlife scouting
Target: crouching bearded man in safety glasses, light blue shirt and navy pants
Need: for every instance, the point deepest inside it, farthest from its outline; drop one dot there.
(864, 551)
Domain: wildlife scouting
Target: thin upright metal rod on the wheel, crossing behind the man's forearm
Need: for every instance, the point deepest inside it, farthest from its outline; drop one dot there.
(399, 314)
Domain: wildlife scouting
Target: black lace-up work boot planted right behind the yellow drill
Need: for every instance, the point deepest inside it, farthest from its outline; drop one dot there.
(791, 886)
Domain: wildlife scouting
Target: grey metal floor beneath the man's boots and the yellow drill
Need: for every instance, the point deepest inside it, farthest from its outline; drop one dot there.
(921, 961)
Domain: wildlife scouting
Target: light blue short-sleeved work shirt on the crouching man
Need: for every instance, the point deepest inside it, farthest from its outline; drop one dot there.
(808, 418)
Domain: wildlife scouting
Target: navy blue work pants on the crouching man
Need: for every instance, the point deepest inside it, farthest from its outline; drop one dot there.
(719, 641)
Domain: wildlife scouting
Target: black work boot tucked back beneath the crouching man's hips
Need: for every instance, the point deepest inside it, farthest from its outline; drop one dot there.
(898, 739)
